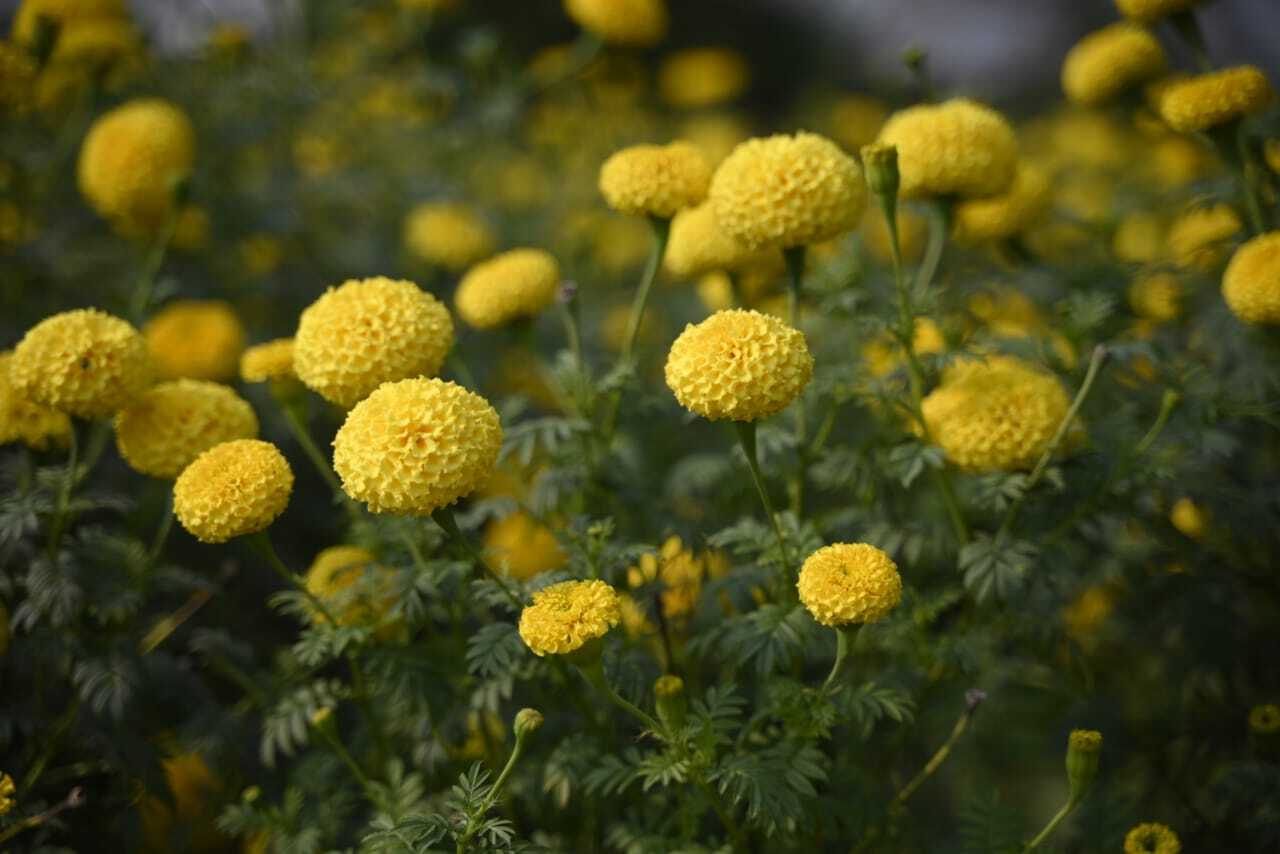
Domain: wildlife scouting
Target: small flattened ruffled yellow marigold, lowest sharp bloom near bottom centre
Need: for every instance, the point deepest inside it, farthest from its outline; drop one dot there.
(566, 616)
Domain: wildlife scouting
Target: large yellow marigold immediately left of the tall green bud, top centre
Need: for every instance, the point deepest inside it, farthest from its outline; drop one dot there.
(787, 191)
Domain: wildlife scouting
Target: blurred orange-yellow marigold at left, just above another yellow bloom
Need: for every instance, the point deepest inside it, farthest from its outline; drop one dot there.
(196, 340)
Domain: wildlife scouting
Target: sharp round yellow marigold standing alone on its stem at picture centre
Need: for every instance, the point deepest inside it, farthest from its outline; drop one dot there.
(739, 366)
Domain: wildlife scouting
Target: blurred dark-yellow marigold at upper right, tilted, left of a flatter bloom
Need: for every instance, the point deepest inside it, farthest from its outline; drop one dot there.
(1110, 61)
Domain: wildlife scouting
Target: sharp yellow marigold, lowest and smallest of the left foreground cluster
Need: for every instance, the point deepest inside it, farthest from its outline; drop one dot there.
(234, 490)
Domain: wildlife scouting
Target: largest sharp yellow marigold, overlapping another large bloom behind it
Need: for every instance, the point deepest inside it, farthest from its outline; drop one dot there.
(417, 446)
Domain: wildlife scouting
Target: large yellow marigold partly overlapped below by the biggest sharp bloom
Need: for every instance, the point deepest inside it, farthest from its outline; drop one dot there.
(369, 332)
